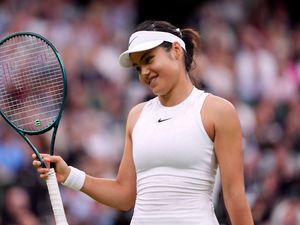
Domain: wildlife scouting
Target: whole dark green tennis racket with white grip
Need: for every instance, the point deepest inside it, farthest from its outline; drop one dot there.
(33, 89)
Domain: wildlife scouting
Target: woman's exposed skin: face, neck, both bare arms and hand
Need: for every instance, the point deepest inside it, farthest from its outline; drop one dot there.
(164, 73)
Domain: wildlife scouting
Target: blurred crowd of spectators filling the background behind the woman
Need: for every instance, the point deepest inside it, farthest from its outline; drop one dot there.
(251, 56)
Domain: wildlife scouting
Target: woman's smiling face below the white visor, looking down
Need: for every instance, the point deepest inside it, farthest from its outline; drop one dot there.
(158, 68)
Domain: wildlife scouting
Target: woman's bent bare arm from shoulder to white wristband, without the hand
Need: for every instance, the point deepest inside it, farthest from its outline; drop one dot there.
(121, 192)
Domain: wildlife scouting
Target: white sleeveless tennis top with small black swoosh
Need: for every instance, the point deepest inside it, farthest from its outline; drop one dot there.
(175, 164)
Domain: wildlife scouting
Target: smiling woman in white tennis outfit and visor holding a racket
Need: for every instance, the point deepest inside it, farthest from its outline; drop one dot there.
(174, 142)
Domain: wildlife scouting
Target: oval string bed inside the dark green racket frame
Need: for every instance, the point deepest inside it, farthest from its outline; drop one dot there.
(33, 86)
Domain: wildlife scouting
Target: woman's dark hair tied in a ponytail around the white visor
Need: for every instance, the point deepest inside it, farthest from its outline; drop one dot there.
(190, 37)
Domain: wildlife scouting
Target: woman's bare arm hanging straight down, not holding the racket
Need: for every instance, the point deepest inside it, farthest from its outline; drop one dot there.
(227, 138)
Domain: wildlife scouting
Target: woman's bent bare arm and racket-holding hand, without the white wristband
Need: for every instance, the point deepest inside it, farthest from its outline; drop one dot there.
(119, 193)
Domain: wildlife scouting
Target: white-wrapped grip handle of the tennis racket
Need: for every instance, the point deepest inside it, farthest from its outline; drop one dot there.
(55, 198)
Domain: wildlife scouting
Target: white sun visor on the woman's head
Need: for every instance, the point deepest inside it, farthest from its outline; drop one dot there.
(145, 40)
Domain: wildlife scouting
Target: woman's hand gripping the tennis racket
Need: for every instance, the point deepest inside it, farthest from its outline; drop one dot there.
(61, 168)
